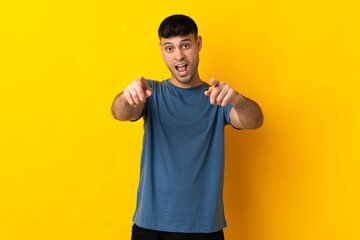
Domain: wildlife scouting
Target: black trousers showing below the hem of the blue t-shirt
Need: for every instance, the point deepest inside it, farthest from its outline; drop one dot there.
(139, 233)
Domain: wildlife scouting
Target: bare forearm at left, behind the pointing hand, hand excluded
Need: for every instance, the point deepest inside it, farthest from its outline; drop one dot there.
(123, 111)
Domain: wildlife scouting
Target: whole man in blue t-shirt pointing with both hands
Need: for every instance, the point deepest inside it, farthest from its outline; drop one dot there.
(180, 192)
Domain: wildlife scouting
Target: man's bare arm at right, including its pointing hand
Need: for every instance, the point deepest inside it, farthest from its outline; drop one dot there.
(245, 113)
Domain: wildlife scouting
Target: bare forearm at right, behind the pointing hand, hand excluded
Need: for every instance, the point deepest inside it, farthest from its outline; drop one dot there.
(248, 112)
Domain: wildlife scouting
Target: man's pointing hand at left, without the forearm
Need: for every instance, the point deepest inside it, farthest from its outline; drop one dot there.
(137, 92)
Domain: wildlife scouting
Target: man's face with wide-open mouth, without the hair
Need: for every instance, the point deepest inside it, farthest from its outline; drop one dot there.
(181, 56)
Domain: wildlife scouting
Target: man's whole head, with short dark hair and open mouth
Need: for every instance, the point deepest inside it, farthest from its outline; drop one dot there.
(180, 46)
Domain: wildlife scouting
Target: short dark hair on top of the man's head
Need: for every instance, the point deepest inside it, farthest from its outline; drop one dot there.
(177, 25)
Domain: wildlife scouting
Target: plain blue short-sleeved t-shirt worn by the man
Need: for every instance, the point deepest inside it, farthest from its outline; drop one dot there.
(182, 162)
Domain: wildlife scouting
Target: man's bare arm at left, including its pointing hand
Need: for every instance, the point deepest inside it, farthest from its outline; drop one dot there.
(129, 104)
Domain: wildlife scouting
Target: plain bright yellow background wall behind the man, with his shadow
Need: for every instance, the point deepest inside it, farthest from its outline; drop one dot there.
(70, 171)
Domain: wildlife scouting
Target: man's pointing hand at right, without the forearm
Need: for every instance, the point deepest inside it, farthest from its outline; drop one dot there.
(221, 93)
